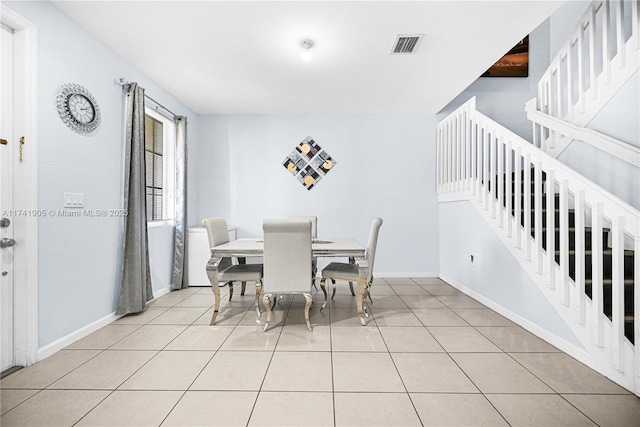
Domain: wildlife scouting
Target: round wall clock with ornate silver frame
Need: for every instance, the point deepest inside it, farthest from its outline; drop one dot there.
(78, 109)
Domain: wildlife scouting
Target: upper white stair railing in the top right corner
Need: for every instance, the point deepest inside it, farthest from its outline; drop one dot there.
(602, 53)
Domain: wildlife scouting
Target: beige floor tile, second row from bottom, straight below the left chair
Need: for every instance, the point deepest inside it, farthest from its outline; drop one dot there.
(234, 370)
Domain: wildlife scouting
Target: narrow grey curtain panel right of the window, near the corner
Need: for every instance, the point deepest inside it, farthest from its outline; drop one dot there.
(180, 277)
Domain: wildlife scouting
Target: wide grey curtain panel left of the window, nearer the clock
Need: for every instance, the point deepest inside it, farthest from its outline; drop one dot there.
(135, 289)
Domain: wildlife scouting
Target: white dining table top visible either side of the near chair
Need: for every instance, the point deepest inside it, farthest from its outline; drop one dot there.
(330, 247)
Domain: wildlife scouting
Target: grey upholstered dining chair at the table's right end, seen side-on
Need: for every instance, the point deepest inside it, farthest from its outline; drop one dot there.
(361, 271)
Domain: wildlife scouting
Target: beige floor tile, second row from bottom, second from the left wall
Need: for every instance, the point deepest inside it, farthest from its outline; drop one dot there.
(106, 371)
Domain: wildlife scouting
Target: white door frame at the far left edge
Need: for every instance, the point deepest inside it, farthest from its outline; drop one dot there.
(25, 36)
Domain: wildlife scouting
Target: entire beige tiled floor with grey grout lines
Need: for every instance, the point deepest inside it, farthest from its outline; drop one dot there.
(428, 356)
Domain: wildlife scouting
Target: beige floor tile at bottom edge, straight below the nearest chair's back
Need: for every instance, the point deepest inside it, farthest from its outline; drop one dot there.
(295, 409)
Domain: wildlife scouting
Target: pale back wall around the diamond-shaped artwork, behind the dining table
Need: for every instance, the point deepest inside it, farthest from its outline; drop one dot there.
(385, 167)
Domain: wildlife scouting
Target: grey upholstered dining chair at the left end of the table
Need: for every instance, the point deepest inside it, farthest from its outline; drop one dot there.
(224, 270)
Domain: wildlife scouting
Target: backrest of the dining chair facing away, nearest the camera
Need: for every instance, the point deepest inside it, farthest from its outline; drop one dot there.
(287, 256)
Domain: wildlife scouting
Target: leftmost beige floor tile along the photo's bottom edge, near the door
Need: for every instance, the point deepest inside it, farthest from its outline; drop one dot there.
(53, 408)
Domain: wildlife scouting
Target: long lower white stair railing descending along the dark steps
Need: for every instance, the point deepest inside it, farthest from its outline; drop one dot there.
(511, 182)
